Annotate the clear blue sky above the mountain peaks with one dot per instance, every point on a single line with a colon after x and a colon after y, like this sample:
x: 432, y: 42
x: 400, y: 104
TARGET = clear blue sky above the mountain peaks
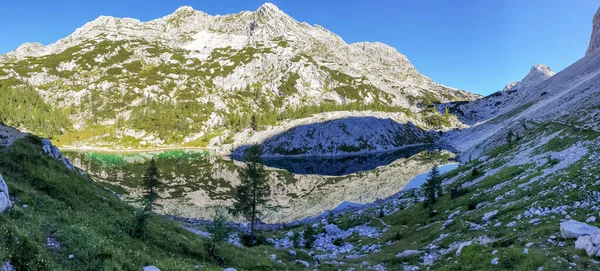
x: 476, y: 45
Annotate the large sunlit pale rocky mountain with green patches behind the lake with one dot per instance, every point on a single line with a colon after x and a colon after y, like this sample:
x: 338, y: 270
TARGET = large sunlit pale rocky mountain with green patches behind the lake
x: 212, y: 76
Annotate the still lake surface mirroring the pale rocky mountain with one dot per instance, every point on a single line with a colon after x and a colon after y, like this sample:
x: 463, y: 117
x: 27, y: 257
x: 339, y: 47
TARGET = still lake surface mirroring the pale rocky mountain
x: 194, y: 182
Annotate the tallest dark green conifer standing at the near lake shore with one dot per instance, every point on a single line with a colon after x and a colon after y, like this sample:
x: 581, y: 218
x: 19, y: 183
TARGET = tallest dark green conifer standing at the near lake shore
x: 253, y: 192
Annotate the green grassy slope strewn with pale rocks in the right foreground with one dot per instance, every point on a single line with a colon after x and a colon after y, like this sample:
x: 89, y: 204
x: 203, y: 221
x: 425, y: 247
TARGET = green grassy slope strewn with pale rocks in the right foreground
x: 413, y: 228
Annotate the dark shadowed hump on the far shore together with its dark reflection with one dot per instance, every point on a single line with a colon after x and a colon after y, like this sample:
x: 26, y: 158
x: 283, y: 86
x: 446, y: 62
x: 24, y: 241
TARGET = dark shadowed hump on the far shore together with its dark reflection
x: 343, y: 146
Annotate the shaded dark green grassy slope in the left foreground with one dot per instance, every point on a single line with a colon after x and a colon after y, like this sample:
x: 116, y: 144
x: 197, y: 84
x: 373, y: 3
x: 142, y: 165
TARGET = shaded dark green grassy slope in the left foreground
x: 92, y: 224
